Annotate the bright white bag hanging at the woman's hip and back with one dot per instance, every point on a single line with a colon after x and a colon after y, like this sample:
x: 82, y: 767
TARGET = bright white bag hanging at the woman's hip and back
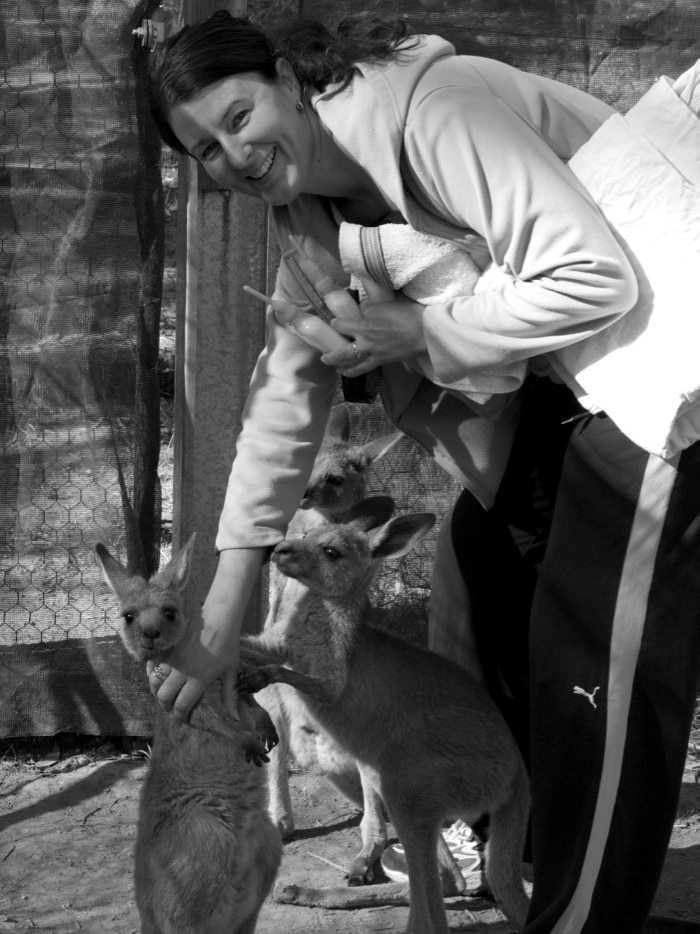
x: 643, y: 170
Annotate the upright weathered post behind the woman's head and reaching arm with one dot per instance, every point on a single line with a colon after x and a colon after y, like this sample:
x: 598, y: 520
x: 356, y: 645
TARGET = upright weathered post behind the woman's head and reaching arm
x: 222, y: 245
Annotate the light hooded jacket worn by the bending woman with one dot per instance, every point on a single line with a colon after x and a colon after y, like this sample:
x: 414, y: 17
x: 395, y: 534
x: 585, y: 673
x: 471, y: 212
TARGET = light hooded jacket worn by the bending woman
x: 474, y: 151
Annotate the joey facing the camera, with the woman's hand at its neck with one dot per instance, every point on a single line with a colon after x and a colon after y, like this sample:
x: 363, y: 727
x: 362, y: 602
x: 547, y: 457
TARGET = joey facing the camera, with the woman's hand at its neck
x: 206, y: 852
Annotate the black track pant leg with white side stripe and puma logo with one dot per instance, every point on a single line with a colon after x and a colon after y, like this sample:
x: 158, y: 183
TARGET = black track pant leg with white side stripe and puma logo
x: 615, y: 648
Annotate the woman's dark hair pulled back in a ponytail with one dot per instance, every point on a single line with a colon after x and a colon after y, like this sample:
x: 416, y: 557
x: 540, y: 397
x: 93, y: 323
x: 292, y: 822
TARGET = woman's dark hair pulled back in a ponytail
x: 223, y: 45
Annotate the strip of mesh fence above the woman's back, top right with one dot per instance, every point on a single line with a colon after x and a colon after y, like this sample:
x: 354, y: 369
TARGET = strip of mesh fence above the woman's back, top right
x: 613, y: 49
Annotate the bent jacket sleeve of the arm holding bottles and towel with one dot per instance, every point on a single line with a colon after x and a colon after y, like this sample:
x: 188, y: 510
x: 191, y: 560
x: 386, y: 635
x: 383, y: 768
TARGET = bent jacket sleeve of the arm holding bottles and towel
x: 484, y: 167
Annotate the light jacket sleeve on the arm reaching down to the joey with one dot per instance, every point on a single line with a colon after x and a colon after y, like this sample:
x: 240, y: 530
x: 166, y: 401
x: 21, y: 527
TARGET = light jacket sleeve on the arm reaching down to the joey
x: 283, y: 422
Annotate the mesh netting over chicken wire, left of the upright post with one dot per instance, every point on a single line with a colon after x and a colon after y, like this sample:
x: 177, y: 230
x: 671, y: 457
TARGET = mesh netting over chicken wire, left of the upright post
x: 81, y: 257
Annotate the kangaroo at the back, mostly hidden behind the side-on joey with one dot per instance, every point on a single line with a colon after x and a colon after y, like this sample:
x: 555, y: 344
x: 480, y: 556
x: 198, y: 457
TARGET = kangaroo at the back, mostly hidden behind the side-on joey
x: 338, y: 481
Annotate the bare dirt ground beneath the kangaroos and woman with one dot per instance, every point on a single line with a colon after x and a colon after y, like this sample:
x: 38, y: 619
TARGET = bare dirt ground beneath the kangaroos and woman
x: 67, y: 828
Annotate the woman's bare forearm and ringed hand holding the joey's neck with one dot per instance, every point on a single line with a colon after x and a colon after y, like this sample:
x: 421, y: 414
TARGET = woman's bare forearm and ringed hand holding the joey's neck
x: 212, y: 644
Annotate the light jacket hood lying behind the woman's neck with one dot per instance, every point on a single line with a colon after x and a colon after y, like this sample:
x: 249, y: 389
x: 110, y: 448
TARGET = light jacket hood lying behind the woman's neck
x: 368, y: 117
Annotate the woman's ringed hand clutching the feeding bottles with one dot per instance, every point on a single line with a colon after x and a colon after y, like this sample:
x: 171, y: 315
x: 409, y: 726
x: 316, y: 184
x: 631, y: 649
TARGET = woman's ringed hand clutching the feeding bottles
x: 388, y: 331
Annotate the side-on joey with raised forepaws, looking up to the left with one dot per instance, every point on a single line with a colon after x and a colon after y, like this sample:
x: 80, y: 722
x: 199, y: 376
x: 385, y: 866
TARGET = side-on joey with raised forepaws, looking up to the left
x: 430, y: 736
